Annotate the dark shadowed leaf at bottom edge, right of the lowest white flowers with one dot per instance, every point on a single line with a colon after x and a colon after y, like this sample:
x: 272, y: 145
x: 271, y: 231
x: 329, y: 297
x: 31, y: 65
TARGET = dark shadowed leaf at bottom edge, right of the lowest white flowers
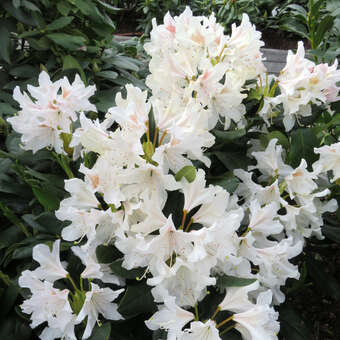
x: 292, y: 326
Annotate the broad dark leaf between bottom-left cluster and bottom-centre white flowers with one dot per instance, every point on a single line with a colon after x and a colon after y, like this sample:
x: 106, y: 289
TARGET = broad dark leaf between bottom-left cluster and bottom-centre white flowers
x: 137, y: 300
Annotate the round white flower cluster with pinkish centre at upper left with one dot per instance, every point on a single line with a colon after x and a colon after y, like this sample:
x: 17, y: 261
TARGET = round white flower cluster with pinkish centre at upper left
x: 44, y: 121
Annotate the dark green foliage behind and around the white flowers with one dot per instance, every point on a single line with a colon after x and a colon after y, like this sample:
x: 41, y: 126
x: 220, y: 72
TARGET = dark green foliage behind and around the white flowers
x: 66, y: 37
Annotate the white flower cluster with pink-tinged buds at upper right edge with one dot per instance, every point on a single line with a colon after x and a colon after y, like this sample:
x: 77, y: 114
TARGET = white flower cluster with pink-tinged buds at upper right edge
x: 301, y: 83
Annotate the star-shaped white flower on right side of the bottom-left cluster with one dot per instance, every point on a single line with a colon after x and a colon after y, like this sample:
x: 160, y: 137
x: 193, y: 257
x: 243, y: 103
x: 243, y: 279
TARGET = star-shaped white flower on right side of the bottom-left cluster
x: 98, y: 301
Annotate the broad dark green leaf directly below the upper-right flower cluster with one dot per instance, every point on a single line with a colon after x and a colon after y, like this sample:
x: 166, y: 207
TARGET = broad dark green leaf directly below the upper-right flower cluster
x: 303, y: 142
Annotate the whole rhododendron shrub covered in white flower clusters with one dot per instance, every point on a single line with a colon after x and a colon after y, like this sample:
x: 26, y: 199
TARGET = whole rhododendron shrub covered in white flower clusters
x: 192, y: 190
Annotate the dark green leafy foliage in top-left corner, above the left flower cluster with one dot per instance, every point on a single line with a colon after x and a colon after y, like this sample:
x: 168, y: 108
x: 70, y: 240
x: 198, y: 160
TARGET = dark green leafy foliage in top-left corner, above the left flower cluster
x: 64, y: 38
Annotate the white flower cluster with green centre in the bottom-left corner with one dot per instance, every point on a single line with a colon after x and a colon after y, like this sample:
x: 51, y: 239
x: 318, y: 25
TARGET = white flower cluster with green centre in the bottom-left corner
x: 52, y: 305
